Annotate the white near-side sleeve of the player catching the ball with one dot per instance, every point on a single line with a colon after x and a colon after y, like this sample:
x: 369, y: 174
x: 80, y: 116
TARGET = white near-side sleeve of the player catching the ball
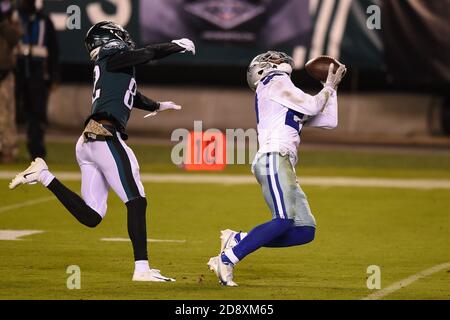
x: 287, y: 94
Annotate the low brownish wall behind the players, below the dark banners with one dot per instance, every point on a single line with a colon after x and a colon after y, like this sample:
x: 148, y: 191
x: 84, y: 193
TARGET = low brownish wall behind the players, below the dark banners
x: 385, y: 114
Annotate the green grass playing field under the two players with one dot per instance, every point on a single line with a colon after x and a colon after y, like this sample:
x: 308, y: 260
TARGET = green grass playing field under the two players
x: 403, y: 231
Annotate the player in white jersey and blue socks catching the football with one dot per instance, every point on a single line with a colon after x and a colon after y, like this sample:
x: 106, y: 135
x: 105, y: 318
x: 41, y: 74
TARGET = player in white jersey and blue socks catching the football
x: 282, y: 110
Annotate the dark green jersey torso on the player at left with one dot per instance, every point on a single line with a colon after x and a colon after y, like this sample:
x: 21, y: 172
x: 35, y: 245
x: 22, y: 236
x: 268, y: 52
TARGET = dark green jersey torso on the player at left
x: 114, y: 92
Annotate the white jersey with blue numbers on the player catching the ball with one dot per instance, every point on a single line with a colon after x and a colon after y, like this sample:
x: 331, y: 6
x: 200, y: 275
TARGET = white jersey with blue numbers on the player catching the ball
x: 282, y: 110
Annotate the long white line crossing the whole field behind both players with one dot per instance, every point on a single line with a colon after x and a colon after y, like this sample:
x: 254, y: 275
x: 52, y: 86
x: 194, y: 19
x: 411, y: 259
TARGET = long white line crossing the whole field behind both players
x: 248, y: 179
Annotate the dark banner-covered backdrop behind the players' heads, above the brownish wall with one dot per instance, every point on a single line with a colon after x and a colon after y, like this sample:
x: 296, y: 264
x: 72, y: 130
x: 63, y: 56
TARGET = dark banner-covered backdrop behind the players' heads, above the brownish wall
x: 409, y: 54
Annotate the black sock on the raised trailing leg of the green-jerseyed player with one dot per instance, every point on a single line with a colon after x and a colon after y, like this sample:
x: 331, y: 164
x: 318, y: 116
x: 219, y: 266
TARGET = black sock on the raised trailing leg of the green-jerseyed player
x: 74, y: 203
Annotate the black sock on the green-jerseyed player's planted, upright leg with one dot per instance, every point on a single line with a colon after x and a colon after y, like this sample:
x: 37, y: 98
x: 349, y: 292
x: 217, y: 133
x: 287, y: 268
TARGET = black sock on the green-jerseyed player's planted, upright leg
x: 137, y: 228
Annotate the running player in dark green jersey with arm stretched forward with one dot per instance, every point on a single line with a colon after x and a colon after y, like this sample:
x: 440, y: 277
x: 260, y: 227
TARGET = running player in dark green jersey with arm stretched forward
x: 104, y: 158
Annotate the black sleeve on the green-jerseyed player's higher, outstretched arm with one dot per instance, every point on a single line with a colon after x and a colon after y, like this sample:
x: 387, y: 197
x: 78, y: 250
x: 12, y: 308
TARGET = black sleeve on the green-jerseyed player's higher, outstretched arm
x: 131, y: 58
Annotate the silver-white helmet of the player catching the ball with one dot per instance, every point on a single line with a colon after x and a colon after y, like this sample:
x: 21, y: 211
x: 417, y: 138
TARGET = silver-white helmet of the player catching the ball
x: 265, y: 63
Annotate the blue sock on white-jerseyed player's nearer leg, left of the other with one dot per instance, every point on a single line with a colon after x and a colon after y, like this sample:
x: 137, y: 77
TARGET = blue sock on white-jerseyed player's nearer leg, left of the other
x: 260, y: 236
